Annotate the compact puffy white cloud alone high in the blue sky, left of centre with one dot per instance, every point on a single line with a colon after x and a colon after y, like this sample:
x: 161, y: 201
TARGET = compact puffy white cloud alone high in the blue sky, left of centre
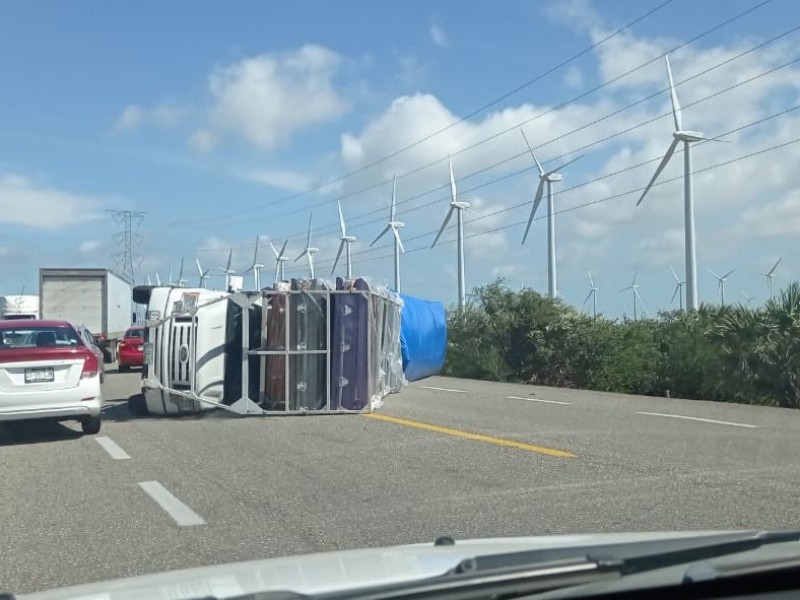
x: 266, y: 99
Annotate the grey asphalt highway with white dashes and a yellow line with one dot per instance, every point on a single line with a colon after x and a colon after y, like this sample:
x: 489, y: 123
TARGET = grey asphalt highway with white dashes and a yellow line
x: 444, y: 457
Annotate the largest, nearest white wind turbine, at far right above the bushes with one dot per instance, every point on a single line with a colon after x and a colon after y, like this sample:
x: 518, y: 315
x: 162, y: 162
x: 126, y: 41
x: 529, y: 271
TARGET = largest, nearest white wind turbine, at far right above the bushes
x: 687, y: 137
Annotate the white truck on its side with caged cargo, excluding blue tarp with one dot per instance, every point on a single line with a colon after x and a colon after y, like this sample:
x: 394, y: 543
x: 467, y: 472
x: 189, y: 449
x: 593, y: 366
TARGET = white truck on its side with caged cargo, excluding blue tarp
x: 300, y: 347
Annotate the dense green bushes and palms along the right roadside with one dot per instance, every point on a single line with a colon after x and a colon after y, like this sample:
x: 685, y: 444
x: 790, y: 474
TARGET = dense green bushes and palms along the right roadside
x: 730, y: 354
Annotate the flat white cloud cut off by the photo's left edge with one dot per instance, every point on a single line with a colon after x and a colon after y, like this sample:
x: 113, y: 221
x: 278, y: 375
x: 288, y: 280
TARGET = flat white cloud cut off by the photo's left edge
x: 26, y: 203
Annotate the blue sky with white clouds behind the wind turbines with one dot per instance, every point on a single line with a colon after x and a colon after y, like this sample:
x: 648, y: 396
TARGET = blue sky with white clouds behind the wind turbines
x: 225, y: 124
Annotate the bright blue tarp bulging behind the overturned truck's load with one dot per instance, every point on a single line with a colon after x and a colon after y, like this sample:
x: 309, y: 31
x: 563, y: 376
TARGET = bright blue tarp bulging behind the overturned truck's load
x: 423, y: 337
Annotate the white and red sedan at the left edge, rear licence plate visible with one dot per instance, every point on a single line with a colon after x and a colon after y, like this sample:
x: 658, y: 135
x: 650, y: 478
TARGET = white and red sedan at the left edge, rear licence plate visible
x: 48, y: 371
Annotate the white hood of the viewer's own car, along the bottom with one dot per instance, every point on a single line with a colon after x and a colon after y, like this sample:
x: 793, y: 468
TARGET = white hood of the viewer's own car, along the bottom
x: 329, y: 571
